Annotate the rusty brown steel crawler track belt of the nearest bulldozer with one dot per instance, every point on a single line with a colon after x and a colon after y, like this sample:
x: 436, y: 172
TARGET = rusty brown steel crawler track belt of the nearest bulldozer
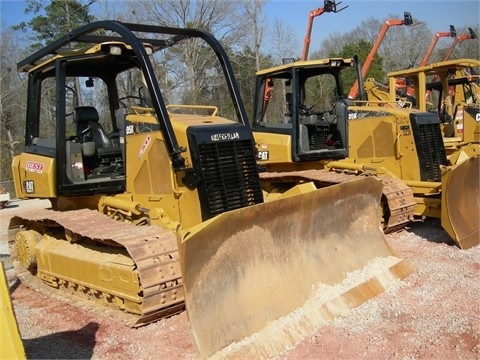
x: 153, y: 250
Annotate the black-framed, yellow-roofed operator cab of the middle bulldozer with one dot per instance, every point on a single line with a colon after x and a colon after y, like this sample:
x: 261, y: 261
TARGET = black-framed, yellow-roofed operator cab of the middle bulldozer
x: 307, y: 103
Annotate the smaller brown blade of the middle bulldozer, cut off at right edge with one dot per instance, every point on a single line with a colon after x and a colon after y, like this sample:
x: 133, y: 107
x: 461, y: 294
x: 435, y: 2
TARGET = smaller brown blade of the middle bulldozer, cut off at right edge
x: 461, y: 202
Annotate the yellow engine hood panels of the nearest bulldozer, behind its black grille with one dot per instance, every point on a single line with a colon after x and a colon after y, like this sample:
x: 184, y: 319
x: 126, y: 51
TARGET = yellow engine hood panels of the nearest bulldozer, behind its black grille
x: 151, y: 180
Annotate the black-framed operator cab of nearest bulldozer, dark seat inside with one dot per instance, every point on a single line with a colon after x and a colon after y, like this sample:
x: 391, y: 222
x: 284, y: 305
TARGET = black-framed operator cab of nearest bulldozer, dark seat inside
x: 85, y: 132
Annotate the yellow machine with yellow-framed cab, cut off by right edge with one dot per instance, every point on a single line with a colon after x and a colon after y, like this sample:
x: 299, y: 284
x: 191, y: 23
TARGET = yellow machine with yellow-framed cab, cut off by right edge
x: 448, y: 89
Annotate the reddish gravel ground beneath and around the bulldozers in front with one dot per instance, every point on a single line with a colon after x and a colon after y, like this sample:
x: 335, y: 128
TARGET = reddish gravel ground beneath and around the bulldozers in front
x: 433, y: 313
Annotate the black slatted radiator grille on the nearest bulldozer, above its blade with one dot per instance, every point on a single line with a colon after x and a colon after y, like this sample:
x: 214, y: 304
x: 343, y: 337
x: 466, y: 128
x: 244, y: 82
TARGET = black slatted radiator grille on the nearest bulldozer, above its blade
x: 227, y: 169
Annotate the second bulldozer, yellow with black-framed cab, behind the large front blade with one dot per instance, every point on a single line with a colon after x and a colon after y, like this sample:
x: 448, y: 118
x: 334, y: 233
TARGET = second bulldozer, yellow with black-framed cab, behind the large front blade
x: 306, y: 129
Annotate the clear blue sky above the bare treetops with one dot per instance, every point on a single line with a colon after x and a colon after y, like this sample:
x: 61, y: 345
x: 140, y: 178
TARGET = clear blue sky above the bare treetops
x: 438, y: 14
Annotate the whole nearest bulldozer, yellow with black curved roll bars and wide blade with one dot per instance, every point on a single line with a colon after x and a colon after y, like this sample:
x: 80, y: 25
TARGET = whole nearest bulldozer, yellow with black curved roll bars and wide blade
x: 157, y: 207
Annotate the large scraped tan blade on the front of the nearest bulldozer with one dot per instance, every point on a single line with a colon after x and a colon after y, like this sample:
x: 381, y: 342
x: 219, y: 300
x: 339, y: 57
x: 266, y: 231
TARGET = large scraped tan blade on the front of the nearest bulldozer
x: 259, y: 279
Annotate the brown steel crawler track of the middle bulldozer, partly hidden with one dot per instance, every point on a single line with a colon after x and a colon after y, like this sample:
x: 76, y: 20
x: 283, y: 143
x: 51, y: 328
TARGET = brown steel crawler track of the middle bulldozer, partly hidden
x: 399, y: 197
